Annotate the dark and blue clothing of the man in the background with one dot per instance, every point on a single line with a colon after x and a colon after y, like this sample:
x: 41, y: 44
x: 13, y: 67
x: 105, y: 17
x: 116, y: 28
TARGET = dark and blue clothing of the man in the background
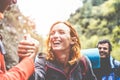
x: 109, y: 70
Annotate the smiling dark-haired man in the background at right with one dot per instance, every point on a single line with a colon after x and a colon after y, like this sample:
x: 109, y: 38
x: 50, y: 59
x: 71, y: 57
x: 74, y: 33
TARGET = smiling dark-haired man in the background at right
x: 109, y: 67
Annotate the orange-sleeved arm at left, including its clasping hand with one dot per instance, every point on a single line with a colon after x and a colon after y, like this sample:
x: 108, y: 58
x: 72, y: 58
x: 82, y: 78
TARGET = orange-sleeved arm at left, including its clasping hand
x: 24, y: 69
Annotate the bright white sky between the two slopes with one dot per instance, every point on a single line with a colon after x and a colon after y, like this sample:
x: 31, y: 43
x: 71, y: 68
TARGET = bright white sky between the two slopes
x: 46, y: 12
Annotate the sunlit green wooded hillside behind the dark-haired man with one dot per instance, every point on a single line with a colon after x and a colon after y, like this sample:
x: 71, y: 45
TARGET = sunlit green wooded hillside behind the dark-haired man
x: 98, y: 20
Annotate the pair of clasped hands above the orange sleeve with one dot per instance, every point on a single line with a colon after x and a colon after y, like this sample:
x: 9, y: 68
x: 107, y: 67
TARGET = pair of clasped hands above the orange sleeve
x: 28, y: 47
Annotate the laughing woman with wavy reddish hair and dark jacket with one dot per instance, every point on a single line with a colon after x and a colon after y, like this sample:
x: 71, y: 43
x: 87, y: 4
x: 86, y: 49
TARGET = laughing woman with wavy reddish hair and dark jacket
x: 63, y: 60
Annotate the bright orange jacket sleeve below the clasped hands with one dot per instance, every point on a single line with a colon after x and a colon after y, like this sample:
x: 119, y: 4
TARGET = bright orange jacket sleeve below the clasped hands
x: 21, y: 71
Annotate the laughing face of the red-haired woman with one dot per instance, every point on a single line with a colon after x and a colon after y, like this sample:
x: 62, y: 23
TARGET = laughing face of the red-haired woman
x: 60, y: 38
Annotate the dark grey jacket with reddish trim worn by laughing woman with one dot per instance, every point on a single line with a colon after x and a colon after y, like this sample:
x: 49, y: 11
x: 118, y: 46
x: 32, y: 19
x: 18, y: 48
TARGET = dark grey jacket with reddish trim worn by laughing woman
x: 51, y: 70
